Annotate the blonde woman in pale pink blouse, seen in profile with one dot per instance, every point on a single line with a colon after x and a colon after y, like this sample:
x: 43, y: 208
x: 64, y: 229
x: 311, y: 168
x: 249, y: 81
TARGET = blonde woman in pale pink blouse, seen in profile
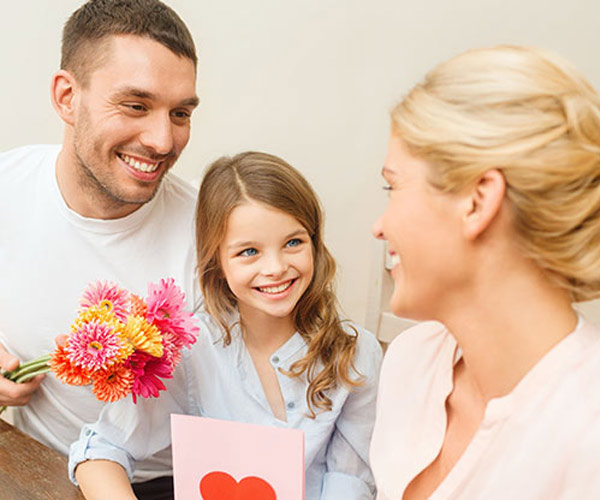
x: 493, y: 222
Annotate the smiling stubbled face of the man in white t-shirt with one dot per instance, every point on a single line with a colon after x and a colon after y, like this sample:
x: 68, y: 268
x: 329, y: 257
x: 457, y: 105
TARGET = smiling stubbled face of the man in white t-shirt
x: 132, y: 121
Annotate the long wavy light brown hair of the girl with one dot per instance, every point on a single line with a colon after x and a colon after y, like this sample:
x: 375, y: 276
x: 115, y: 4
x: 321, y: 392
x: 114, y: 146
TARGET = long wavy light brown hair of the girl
x: 254, y: 176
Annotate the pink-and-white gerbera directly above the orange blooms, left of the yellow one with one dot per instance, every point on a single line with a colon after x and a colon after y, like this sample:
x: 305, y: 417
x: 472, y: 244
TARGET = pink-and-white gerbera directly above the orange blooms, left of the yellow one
x: 94, y: 346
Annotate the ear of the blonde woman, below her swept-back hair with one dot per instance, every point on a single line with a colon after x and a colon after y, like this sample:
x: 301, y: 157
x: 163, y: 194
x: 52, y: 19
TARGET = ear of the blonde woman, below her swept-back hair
x: 483, y: 202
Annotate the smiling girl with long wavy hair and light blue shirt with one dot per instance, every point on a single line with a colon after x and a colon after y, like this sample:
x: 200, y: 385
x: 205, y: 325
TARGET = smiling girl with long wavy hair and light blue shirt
x: 272, y: 348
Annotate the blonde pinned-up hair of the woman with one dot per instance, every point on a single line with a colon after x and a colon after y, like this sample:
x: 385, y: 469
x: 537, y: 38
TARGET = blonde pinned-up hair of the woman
x: 530, y: 115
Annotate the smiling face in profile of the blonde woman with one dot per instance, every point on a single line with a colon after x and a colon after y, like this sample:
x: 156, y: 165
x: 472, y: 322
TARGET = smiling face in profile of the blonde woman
x: 421, y: 226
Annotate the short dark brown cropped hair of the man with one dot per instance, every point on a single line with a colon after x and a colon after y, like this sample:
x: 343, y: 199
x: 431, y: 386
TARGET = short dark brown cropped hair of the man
x: 90, y: 26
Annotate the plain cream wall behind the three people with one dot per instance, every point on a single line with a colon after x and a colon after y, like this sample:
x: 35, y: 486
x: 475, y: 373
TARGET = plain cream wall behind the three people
x: 311, y: 81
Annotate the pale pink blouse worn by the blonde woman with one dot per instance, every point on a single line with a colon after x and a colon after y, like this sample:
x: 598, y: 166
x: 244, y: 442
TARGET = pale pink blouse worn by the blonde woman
x: 540, y: 441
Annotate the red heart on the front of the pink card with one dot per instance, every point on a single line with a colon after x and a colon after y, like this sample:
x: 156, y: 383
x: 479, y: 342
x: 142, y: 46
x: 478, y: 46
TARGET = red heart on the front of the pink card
x: 219, y: 485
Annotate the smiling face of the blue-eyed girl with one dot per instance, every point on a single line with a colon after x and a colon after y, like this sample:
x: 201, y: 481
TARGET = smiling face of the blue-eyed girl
x: 267, y: 259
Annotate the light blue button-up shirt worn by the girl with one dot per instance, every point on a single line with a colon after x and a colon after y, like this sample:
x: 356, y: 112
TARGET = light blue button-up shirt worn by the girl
x: 220, y: 381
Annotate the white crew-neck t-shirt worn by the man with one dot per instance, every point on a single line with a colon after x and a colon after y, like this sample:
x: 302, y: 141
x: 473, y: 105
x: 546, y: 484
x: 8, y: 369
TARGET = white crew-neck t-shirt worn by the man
x: 49, y: 253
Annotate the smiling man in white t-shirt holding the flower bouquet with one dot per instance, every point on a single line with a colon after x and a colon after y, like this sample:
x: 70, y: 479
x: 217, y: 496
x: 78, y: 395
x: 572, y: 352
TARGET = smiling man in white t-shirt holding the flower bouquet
x: 102, y: 206
